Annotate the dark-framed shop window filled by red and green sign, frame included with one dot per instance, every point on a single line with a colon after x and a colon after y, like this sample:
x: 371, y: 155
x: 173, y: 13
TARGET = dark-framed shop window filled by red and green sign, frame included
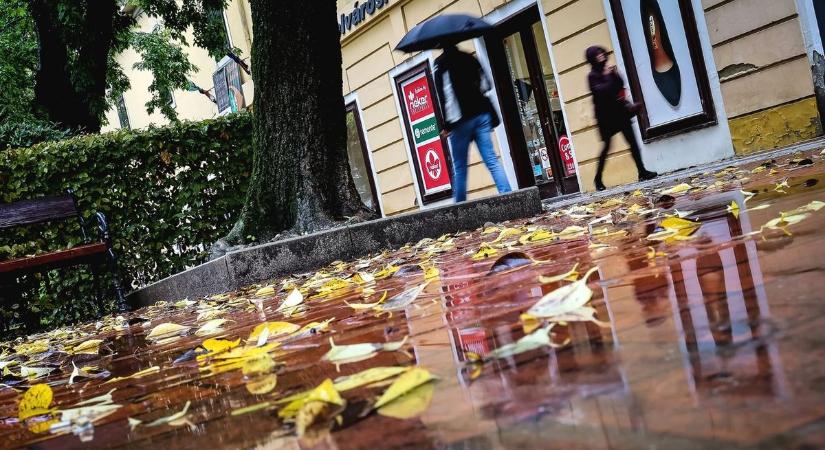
x: 423, y: 124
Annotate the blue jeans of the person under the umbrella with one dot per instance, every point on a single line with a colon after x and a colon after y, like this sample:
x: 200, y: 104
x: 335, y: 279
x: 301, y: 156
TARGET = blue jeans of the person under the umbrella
x: 475, y: 128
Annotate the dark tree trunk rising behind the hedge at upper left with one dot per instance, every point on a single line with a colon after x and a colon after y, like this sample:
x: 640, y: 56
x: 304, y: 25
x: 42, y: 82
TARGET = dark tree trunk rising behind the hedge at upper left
x: 76, y: 102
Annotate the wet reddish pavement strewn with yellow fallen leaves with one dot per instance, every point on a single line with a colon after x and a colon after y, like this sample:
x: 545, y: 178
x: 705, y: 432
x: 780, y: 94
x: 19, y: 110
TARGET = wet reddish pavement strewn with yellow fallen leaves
x: 703, y: 330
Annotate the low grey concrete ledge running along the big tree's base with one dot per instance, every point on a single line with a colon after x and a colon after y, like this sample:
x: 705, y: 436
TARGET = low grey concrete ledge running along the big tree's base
x: 266, y: 261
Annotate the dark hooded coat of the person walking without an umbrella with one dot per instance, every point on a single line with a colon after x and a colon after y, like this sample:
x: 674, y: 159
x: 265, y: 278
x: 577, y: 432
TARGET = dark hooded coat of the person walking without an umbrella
x: 611, y: 110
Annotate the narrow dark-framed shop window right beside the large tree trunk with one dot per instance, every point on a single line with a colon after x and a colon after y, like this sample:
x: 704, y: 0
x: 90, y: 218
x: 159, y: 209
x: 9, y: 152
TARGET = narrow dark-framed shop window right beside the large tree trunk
x: 359, y: 160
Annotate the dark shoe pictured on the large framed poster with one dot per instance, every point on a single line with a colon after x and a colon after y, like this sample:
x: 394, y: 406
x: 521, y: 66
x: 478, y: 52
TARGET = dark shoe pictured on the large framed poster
x: 663, y: 63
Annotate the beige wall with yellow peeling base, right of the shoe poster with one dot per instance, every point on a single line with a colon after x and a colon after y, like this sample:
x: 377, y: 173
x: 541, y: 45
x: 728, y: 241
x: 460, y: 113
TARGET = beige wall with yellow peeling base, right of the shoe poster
x: 764, y: 71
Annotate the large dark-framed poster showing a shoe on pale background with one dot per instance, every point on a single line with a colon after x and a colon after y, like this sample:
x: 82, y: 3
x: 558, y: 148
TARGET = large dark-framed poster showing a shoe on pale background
x: 665, y: 65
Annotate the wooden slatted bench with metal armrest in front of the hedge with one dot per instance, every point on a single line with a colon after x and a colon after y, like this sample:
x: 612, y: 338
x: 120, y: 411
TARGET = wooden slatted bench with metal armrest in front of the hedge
x: 94, y: 252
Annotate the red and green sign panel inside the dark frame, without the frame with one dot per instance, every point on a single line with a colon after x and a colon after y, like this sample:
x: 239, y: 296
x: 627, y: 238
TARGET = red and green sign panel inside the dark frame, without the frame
x: 434, y: 173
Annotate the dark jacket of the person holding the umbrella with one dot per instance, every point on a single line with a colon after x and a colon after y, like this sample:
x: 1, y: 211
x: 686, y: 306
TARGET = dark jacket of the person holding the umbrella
x: 465, y: 75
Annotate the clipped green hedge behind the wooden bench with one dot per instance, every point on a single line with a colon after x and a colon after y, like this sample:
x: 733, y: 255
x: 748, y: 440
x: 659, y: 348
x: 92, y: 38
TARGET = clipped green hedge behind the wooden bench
x: 168, y: 193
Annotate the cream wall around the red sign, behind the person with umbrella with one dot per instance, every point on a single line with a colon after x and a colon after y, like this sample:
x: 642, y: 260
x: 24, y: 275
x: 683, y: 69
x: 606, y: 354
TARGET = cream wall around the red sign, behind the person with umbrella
x: 368, y: 57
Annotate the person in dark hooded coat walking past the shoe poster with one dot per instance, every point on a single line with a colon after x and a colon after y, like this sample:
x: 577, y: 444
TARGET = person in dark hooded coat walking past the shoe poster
x: 613, y: 111
